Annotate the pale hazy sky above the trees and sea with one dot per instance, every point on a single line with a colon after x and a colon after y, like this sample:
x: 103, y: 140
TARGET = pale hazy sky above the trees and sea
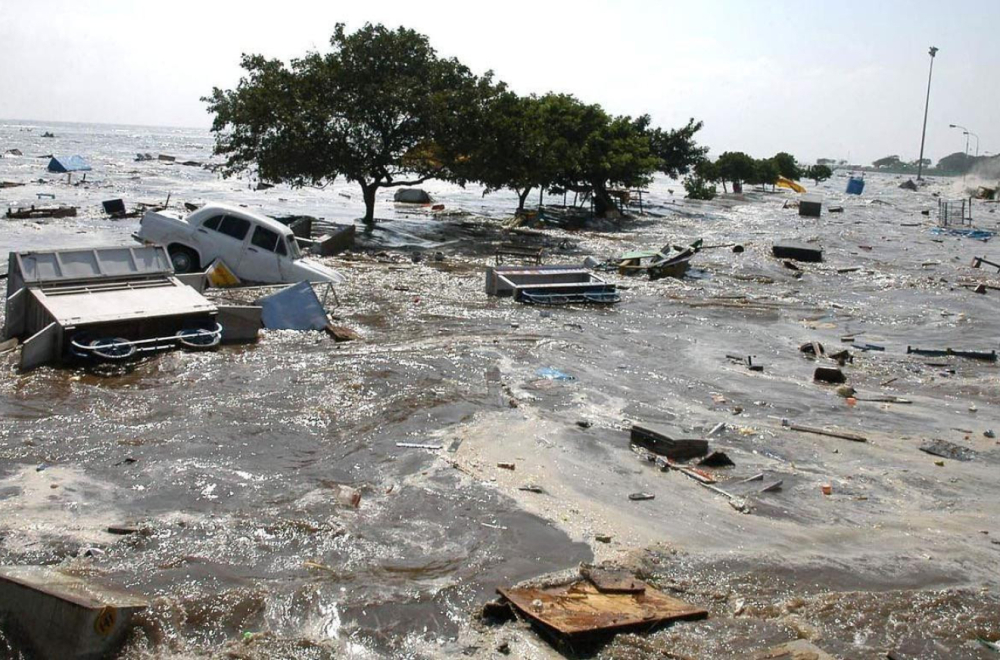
x: 844, y: 79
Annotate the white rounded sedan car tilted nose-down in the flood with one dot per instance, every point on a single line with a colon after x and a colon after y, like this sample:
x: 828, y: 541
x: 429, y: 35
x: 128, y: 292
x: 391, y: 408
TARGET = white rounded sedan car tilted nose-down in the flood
x: 254, y: 247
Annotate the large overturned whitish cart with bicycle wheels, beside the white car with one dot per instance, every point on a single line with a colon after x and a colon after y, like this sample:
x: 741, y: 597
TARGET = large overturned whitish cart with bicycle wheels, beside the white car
x: 104, y: 304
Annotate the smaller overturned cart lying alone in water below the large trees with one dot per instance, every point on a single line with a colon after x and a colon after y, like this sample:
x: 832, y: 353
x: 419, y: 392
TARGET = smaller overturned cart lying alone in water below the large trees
x: 550, y: 285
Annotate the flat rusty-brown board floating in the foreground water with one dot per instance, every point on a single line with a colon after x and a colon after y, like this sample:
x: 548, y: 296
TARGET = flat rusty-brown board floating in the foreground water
x: 580, y: 607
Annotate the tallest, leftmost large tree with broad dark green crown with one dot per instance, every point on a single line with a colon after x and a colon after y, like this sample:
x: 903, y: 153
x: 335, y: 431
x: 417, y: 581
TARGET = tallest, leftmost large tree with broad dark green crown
x: 381, y: 109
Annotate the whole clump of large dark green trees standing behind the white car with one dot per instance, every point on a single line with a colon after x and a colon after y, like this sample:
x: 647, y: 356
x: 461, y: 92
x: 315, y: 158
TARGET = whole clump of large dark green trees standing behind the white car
x: 383, y: 109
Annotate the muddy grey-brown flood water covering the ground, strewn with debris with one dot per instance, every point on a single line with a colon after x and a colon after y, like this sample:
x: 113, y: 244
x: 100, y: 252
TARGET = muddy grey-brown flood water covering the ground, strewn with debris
x: 239, y: 463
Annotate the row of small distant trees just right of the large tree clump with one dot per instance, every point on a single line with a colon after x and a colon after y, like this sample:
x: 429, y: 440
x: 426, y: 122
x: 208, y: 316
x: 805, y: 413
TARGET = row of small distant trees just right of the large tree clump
x: 739, y: 169
